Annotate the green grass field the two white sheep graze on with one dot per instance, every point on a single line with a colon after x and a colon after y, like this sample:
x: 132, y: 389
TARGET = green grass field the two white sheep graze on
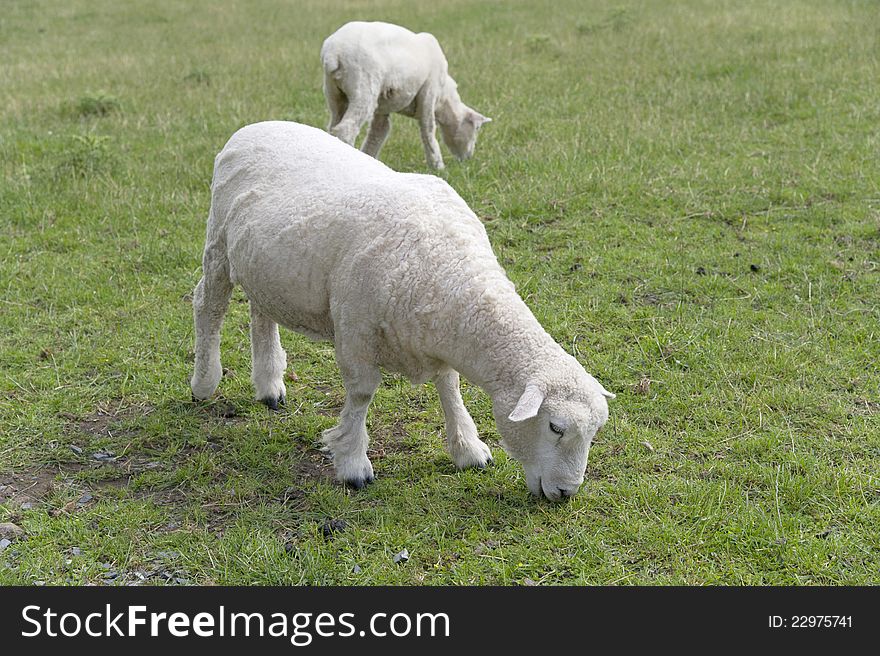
x: 686, y: 194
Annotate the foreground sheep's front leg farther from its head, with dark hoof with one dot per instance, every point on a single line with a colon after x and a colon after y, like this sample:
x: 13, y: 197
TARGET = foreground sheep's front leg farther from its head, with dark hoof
x: 348, y: 440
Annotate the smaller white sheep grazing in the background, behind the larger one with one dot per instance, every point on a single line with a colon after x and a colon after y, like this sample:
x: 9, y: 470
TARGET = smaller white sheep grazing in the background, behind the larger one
x: 374, y: 69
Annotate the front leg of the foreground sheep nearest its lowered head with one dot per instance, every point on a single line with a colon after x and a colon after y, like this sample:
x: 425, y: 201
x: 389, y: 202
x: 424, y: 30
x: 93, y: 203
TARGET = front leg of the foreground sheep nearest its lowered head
x: 462, y: 441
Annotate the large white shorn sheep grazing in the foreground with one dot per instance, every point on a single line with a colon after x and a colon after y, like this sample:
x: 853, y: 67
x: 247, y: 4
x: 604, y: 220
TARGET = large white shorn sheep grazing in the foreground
x: 398, y: 272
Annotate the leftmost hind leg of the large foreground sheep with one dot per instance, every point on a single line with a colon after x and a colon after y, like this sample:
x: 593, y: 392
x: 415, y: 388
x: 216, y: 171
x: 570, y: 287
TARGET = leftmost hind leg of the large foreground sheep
x: 210, y: 301
